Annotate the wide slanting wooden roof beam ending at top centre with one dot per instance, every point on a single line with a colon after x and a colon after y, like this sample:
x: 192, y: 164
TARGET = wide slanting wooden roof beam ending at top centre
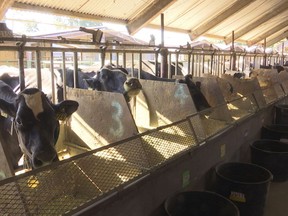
x: 149, y: 13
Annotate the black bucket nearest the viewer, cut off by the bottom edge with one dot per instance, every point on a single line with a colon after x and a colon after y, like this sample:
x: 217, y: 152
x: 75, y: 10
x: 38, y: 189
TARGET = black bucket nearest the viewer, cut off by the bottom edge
x: 200, y: 203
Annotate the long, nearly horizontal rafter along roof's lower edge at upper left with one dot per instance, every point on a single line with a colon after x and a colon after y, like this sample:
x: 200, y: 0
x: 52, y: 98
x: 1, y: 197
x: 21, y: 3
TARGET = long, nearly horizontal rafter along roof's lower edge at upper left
x: 24, y: 6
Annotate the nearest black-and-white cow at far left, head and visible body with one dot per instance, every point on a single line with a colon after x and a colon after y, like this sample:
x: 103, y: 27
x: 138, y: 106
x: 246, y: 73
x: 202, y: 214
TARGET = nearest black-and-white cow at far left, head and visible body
x: 35, y: 121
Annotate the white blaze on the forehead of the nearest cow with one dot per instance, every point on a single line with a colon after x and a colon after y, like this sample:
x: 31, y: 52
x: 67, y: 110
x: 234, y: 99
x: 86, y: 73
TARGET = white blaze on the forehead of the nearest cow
x: 34, y: 102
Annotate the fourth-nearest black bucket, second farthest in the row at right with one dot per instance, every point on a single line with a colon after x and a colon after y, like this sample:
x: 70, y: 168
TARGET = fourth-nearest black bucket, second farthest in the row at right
x: 274, y: 132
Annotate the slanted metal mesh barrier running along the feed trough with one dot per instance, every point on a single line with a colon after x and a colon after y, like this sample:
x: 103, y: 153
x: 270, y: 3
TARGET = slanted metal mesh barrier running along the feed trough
x: 67, y: 186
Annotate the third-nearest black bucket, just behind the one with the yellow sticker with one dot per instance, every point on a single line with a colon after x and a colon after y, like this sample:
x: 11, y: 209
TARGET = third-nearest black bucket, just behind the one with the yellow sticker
x: 273, y: 155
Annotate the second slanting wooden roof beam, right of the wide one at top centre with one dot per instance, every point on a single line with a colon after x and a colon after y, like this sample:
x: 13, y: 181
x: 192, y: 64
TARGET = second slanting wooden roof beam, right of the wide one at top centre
x: 209, y: 24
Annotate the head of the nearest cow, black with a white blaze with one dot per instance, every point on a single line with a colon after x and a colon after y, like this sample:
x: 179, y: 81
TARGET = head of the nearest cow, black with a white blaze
x: 36, y: 123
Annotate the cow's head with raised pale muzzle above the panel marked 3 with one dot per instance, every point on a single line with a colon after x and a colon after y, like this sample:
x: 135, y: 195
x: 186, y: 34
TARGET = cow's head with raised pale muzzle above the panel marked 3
x: 115, y: 80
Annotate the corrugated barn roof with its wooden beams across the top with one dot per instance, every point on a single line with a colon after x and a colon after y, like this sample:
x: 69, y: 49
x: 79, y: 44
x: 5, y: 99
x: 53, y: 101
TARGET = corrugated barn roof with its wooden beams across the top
x: 252, y: 21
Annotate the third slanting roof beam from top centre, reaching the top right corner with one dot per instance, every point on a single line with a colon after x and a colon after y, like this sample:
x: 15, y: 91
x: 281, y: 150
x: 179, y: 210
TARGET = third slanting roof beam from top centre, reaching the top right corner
x: 273, y: 12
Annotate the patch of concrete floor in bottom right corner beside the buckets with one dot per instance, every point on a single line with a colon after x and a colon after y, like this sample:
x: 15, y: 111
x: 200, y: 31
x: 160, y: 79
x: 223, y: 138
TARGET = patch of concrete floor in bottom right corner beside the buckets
x: 277, y: 200
